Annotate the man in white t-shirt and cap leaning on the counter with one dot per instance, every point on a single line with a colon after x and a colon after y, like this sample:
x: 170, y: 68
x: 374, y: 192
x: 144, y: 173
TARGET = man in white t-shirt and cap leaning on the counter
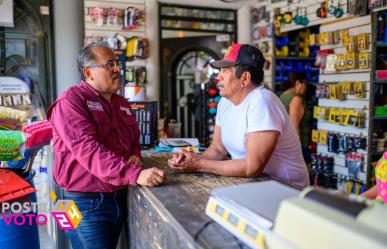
x: 252, y: 125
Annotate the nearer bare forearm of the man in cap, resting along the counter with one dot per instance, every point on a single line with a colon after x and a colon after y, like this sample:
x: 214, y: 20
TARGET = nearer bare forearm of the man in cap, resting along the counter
x: 239, y: 167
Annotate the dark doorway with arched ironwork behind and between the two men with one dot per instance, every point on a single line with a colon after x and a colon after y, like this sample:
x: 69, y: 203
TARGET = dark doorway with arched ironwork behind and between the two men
x: 189, y: 40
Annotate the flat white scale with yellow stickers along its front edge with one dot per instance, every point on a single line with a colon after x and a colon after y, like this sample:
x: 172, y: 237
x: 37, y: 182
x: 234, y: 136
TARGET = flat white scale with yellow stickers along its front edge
x: 248, y: 211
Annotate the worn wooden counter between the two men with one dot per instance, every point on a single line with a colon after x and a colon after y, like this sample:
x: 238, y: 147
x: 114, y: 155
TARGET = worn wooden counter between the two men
x: 173, y: 215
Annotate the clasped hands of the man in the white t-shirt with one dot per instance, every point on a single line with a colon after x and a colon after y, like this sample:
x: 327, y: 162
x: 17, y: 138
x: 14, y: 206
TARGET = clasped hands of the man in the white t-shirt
x: 184, y: 161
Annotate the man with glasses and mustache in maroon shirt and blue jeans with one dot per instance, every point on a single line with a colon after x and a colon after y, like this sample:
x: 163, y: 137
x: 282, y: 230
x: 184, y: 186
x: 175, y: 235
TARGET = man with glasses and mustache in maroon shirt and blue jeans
x: 97, y: 150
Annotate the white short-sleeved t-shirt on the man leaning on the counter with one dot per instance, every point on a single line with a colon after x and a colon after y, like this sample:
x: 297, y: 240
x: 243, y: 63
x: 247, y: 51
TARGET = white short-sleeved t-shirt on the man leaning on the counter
x: 261, y: 110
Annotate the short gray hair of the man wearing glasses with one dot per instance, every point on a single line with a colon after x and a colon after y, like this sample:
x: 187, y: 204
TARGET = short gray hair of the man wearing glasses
x: 86, y: 57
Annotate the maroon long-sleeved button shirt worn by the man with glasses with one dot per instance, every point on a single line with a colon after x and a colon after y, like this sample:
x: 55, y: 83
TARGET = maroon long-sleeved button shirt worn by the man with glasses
x: 92, y: 141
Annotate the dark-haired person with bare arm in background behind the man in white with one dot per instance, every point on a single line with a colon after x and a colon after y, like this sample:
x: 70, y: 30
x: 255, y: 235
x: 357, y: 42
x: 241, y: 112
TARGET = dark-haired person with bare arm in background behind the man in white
x: 293, y: 98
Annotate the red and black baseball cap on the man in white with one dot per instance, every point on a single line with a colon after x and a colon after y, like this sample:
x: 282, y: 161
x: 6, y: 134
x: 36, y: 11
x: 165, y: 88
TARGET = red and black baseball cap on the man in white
x: 243, y: 54
